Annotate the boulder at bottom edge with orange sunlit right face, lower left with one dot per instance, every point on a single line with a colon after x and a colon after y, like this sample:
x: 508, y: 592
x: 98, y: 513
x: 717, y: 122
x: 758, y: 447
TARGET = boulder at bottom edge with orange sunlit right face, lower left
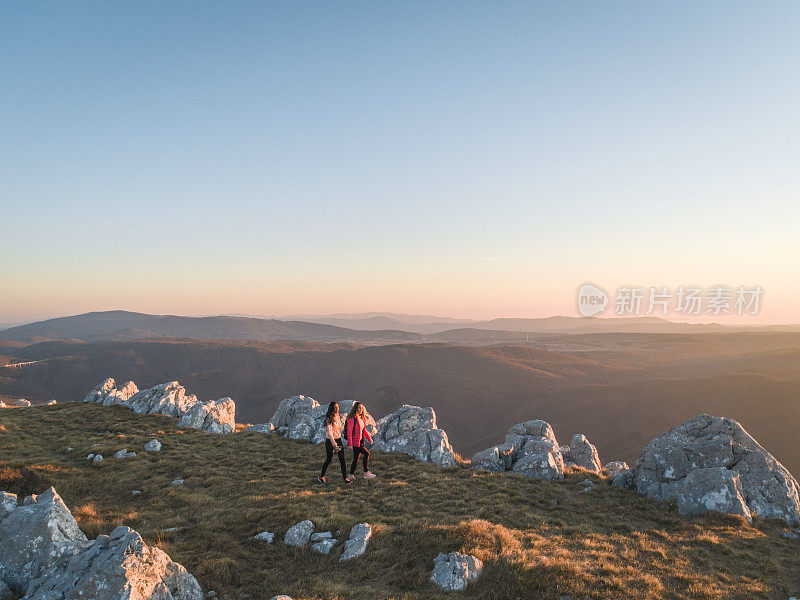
x: 114, y: 567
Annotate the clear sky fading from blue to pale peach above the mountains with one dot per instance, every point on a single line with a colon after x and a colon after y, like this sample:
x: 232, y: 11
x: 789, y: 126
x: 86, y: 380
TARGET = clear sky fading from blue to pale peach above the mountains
x: 468, y: 159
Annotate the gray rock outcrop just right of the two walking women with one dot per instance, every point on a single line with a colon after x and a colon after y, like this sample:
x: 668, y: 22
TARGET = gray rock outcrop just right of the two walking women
x: 412, y: 430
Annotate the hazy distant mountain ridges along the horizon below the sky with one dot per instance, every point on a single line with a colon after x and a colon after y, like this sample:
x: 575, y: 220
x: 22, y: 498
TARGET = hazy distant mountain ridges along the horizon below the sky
x: 365, y: 328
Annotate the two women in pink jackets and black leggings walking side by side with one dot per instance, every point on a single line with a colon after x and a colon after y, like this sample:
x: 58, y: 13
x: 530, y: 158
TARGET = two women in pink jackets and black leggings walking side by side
x: 357, y: 438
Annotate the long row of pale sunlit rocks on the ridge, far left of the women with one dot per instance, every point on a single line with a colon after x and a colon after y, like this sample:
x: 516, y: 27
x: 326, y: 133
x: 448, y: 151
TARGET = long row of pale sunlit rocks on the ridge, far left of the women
x: 169, y: 399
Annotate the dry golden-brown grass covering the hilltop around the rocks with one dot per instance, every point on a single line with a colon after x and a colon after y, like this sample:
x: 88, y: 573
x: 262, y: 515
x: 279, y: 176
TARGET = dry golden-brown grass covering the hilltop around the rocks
x: 539, y: 540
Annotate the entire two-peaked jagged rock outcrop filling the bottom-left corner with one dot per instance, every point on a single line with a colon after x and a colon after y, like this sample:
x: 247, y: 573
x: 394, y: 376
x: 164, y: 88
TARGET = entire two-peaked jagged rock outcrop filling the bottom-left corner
x: 44, y: 556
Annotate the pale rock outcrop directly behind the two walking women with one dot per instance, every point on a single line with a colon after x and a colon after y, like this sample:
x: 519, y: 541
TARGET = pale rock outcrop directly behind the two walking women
x: 301, y: 418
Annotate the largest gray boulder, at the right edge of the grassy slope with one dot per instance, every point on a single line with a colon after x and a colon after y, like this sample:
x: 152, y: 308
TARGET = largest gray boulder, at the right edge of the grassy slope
x: 666, y: 469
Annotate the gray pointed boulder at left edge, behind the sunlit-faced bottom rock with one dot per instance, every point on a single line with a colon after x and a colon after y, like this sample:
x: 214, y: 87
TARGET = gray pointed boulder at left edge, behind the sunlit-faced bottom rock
x: 33, y: 536
